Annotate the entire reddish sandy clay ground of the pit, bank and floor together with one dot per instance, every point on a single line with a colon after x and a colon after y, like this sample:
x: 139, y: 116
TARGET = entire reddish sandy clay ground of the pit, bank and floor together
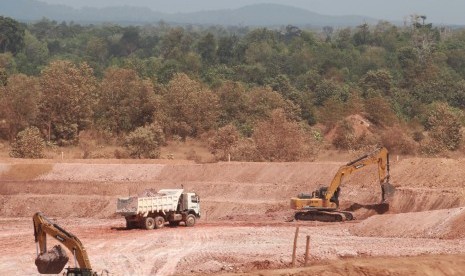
x: 245, y: 226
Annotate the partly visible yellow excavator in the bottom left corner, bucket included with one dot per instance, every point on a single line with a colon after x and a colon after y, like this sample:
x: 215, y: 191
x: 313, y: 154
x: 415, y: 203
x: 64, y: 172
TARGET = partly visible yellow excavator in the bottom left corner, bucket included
x: 54, y: 260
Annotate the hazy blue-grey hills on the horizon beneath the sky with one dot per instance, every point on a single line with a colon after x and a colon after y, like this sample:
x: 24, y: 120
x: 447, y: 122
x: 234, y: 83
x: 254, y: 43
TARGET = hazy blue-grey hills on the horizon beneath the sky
x: 253, y: 15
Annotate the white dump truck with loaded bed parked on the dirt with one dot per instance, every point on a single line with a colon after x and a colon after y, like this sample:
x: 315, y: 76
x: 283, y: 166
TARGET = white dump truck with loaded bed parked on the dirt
x: 173, y: 206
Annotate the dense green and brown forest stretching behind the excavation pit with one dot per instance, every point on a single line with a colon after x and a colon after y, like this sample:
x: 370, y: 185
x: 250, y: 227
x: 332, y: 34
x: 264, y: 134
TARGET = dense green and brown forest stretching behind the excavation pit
x: 250, y: 93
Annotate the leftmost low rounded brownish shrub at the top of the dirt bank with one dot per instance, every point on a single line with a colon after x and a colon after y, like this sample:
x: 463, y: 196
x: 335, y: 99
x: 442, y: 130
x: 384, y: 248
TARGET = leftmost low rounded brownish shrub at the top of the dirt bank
x: 28, y: 144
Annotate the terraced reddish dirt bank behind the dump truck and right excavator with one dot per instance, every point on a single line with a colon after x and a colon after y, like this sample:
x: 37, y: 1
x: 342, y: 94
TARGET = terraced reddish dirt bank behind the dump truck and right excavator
x: 228, y: 190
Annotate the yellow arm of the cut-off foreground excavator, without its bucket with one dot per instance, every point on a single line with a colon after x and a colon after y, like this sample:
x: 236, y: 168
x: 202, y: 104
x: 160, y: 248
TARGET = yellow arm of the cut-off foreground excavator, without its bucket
x: 43, y: 227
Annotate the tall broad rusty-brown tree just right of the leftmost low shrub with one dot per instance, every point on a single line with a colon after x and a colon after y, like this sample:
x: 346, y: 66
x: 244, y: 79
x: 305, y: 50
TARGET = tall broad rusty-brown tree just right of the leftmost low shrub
x: 68, y: 99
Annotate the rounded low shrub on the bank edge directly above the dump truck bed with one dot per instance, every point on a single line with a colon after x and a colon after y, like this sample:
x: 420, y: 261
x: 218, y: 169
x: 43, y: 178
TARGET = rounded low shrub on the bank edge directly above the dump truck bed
x: 145, y: 142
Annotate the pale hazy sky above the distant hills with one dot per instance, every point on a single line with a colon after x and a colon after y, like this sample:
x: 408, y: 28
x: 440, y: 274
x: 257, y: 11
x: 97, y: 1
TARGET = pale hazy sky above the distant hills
x: 437, y: 11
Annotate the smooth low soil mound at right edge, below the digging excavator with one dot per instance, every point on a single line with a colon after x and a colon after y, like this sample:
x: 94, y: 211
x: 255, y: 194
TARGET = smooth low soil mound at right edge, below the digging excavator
x: 437, y: 224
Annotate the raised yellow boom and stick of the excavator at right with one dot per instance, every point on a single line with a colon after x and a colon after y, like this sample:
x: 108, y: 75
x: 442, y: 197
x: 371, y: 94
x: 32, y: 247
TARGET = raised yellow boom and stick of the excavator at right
x: 380, y: 156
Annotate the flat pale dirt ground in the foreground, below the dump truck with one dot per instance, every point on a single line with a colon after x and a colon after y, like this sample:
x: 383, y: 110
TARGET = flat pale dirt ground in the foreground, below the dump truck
x: 209, y: 248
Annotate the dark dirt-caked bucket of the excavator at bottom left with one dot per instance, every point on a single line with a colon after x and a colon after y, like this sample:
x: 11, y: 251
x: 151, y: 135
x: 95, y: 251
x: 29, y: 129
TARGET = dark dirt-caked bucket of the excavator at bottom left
x: 53, y: 261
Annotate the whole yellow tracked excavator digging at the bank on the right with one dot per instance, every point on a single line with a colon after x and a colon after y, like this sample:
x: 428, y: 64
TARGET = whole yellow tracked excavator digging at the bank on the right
x: 323, y: 204
